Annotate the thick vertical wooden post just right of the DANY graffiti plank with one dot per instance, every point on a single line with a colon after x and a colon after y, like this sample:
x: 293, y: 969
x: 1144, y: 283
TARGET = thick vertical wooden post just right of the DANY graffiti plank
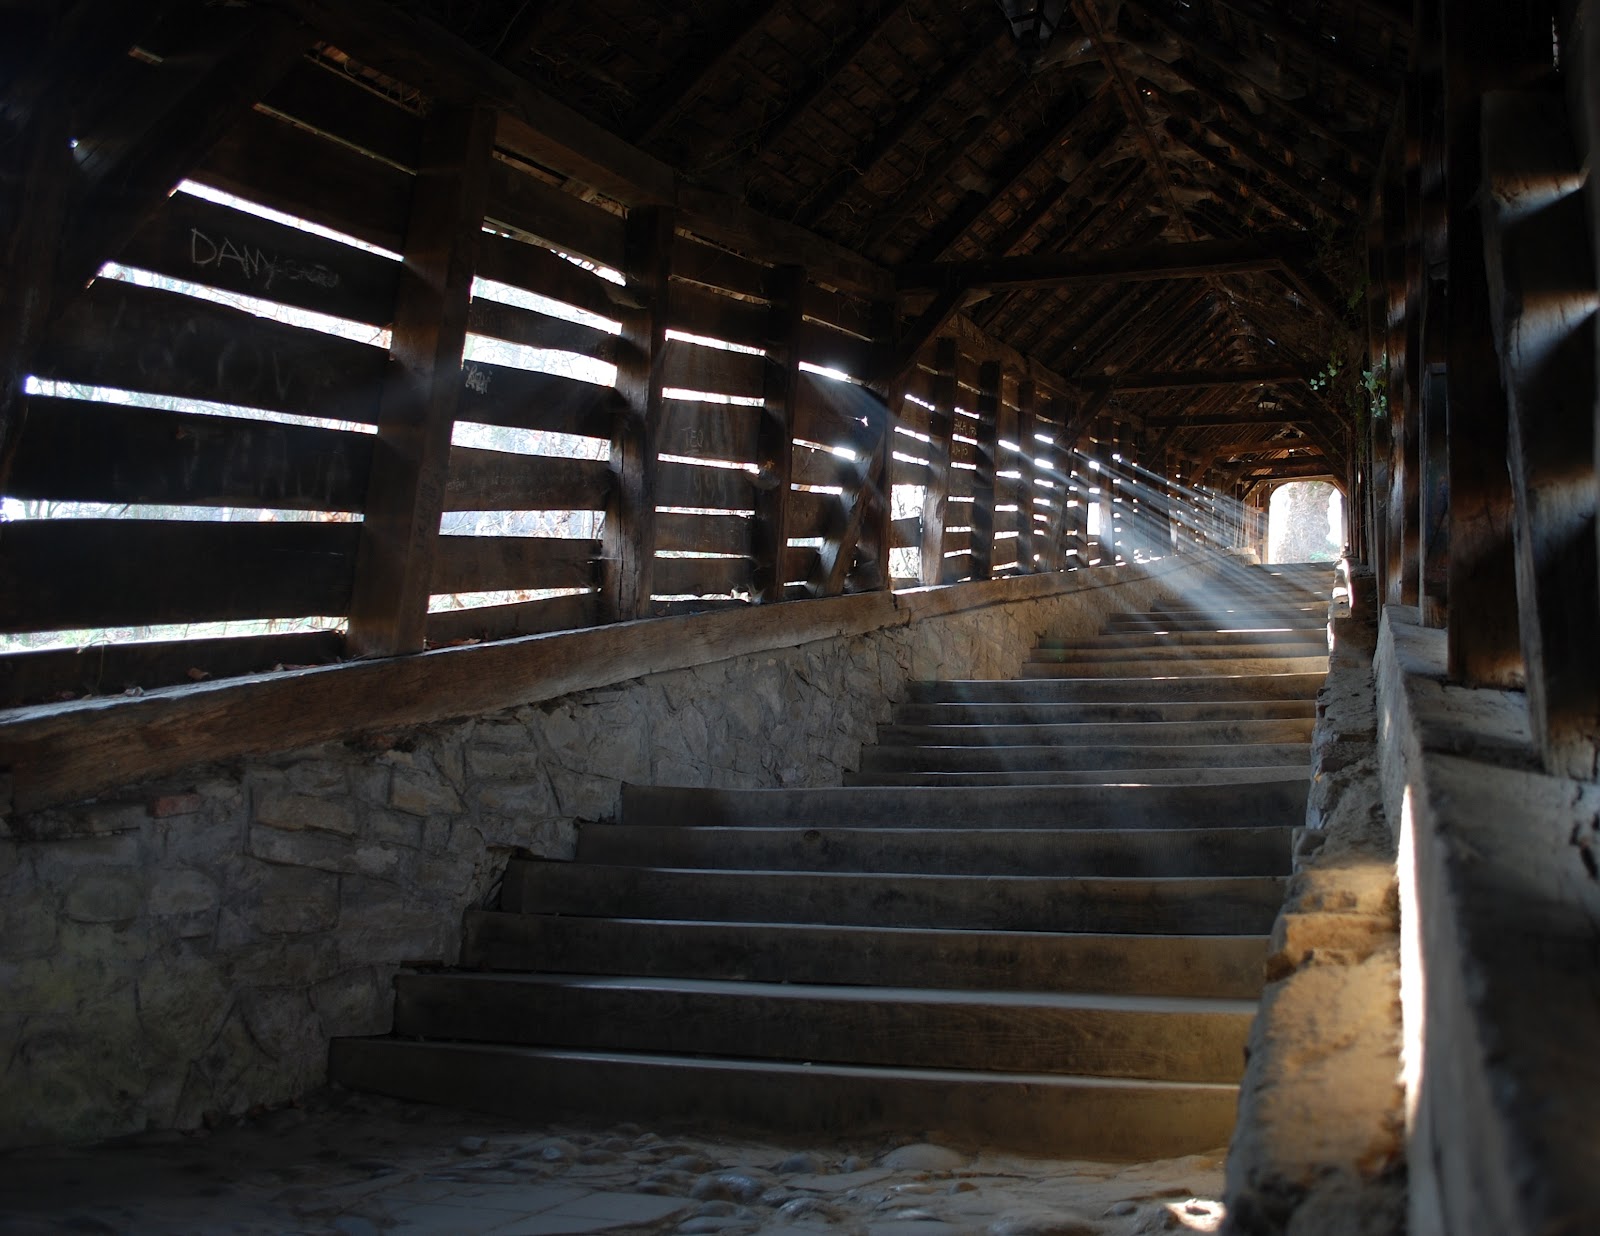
x: 394, y: 568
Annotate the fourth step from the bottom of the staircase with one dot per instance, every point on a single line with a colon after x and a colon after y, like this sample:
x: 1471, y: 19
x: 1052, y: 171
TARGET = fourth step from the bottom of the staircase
x: 1228, y: 905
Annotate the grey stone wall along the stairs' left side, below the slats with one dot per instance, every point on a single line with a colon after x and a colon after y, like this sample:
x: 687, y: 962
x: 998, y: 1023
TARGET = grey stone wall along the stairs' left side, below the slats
x: 185, y: 949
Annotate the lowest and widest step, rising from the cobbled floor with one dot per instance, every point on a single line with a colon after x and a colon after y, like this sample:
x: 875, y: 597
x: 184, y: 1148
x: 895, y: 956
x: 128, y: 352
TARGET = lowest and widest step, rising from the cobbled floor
x: 1030, y: 1114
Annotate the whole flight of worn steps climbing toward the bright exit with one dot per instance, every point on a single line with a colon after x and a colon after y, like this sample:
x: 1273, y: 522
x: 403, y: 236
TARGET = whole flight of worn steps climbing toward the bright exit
x: 1038, y: 920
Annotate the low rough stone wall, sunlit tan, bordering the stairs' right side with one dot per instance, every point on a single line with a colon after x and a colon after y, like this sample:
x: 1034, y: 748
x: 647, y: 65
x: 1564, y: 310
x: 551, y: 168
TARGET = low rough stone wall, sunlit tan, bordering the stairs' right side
x: 1319, y: 1149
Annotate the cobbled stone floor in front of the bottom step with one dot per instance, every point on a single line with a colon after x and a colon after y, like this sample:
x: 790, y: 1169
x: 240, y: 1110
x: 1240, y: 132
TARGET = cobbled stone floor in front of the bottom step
x: 350, y: 1165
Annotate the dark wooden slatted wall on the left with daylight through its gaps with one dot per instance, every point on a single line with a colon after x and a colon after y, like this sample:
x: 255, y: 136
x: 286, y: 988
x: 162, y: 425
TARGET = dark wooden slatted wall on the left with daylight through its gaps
x: 764, y: 481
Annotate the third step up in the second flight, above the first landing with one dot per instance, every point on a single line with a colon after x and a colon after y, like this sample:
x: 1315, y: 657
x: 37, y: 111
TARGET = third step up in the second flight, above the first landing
x: 1102, y: 734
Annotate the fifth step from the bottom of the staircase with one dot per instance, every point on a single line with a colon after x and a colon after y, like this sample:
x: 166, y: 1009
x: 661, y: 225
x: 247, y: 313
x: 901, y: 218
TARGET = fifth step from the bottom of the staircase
x: 948, y: 851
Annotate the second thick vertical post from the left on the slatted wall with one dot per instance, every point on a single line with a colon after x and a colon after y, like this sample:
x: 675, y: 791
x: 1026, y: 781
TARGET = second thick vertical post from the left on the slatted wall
x: 631, y: 515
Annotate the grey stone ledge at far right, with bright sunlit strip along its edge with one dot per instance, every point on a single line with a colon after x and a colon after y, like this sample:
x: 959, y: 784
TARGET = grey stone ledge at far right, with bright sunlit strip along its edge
x: 1502, y: 917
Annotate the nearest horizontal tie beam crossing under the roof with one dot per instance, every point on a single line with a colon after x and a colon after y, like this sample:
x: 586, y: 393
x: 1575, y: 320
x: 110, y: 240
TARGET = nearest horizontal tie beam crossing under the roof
x: 1190, y: 260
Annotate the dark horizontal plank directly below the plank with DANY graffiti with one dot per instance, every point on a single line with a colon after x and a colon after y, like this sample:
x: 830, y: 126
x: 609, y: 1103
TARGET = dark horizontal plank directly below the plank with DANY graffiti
x: 162, y: 343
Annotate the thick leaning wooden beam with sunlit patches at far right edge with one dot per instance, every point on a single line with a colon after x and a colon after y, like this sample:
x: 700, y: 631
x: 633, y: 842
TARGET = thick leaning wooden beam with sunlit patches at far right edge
x: 1543, y: 294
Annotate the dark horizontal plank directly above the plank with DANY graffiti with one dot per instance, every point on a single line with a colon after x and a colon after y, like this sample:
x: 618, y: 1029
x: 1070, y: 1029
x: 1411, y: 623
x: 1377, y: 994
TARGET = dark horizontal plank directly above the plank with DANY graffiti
x: 279, y: 166
